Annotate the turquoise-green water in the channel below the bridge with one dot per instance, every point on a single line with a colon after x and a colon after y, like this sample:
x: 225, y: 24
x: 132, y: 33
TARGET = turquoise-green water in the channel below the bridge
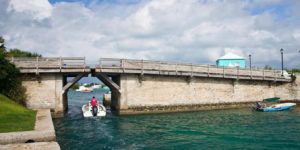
x: 217, y: 129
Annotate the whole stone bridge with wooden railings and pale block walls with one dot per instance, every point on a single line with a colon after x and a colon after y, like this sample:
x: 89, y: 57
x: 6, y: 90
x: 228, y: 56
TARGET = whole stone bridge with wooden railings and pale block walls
x: 142, y: 86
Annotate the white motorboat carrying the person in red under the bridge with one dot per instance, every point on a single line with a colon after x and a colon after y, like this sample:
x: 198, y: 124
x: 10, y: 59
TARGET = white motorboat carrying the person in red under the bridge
x: 89, y: 111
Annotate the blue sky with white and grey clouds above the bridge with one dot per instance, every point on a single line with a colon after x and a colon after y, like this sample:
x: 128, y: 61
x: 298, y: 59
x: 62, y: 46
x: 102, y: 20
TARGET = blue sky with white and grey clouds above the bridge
x: 190, y: 31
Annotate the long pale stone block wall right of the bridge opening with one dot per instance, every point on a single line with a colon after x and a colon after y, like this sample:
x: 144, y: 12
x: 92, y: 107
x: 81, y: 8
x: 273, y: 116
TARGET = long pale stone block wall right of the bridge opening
x: 175, y: 91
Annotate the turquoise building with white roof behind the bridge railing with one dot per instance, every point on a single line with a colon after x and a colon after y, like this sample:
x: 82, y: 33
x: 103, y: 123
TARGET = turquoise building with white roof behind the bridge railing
x: 231, y: 60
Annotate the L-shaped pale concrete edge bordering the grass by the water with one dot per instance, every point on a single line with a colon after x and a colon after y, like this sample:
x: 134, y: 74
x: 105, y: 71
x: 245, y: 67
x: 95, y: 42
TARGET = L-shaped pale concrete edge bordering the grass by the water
x: 43, y: 131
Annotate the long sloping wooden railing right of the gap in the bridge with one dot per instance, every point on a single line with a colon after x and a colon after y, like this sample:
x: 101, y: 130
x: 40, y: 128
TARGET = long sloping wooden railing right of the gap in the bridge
x: 161, y: 67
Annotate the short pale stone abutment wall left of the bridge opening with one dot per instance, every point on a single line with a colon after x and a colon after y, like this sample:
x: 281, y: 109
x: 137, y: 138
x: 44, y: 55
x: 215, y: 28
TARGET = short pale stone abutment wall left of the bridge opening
x: 45, y: 91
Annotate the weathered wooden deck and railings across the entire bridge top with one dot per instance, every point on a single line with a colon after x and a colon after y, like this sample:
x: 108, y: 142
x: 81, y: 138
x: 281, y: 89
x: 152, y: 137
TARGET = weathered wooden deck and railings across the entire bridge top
x: 112, y: 66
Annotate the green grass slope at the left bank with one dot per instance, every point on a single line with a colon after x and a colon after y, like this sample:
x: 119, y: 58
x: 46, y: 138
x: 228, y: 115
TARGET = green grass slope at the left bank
x: 15, y: 117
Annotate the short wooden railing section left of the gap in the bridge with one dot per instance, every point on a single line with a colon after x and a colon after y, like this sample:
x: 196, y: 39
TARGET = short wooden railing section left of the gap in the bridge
x: 49, y: 62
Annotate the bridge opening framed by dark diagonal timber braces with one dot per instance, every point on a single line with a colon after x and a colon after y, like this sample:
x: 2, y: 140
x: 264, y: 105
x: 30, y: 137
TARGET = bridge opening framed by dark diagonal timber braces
x: 104, y: 87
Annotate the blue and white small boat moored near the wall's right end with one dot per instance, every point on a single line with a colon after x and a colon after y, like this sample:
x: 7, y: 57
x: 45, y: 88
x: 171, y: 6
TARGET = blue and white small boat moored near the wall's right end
x: 274, y: 107
